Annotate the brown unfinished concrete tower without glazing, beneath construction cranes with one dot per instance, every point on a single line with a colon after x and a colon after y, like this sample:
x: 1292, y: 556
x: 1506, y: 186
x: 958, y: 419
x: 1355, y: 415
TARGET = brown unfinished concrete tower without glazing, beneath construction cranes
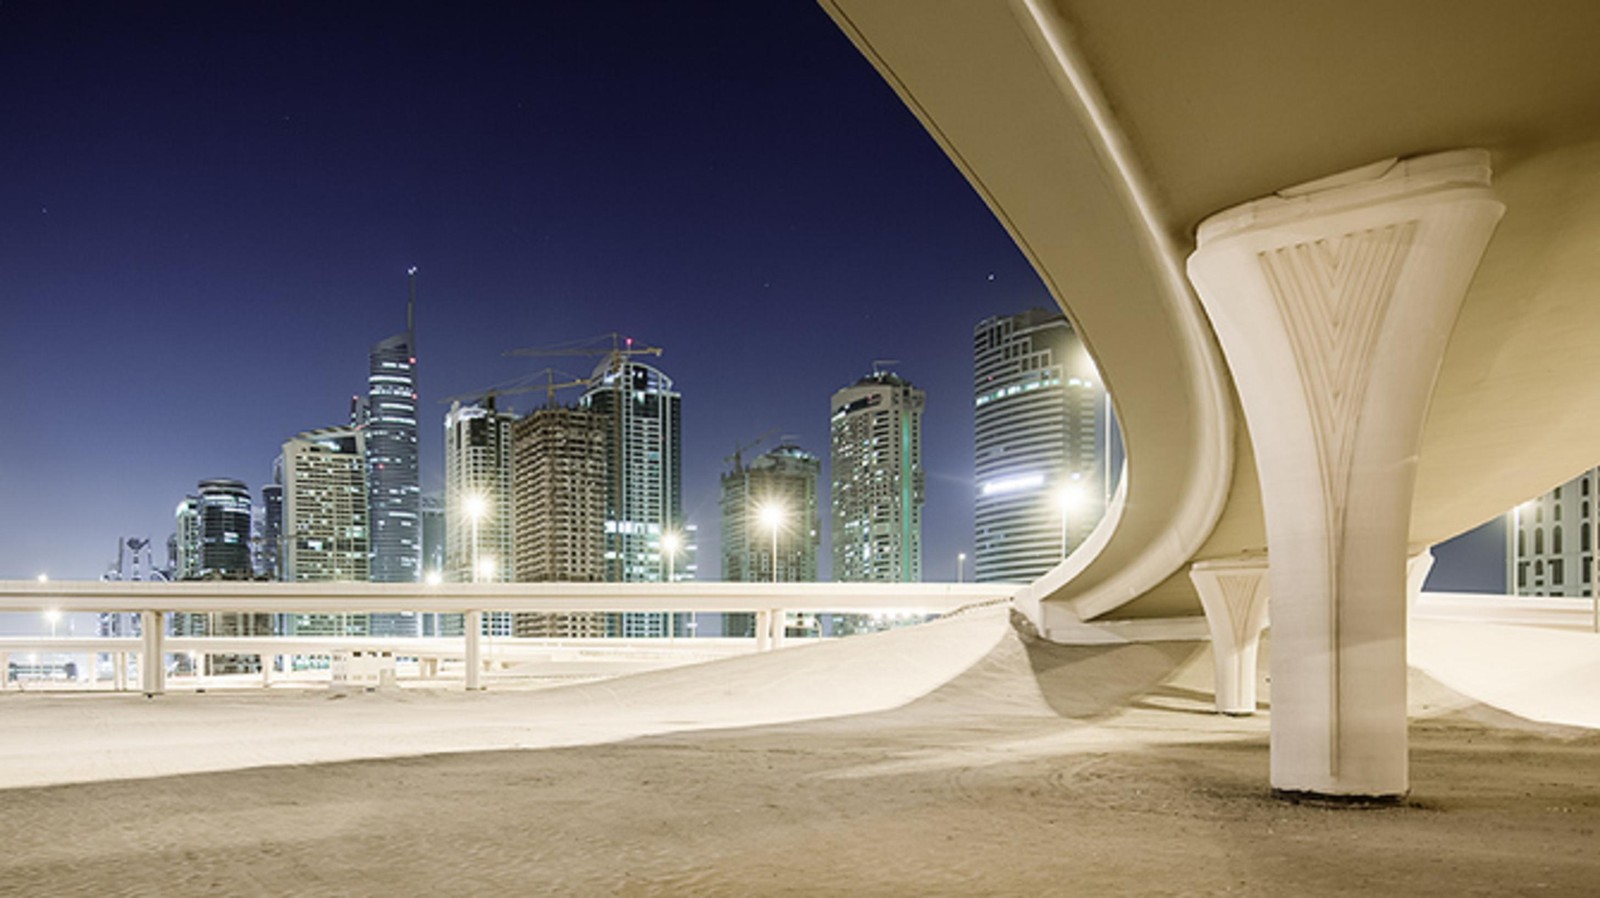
x: 559, y: 483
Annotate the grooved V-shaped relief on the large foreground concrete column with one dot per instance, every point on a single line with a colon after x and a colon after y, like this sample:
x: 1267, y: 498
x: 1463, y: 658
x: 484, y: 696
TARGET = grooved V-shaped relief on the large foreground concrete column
x: 1334, y: 295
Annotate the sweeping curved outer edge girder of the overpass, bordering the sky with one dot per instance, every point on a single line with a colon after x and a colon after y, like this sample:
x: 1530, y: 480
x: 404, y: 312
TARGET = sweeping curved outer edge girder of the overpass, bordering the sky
x: 1078, y: 212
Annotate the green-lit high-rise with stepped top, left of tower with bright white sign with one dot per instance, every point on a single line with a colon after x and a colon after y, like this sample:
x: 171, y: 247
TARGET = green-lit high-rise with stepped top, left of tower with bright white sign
x: 878, y: 495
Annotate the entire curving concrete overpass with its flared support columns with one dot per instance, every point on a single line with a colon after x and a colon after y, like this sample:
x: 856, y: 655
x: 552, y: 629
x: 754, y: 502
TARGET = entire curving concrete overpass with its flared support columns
x: 1337, y: 267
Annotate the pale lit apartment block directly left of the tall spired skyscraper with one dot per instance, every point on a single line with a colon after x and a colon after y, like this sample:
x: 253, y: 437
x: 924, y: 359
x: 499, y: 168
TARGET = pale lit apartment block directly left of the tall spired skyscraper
x: 326, y: 519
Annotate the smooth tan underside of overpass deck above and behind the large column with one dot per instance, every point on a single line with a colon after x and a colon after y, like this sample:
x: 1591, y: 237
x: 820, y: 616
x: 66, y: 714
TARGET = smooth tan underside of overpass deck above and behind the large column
x: 1231, y: 105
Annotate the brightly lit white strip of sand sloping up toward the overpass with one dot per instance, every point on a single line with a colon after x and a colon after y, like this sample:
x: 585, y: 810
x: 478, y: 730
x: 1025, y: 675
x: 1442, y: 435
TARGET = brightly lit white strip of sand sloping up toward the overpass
x: 78, y: 739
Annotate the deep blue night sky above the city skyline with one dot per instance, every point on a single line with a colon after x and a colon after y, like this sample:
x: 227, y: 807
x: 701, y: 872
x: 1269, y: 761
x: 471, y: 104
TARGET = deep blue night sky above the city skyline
x: 207, y: 212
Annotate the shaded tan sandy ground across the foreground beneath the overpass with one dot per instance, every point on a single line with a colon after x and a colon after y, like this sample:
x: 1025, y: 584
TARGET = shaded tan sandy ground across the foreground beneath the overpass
x: 1039, y: 771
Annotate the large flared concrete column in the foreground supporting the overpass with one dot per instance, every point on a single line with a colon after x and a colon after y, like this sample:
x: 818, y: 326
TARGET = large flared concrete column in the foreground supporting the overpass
x: 1334, y: 303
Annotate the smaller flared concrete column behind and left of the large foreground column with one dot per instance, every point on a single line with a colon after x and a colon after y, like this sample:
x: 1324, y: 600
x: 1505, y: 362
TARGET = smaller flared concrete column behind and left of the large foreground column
x: 1234, y: 595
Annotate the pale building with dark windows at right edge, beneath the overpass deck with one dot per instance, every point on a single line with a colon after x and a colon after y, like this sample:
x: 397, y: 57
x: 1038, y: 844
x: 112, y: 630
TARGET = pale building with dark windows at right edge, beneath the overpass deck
x: 1550, y: 545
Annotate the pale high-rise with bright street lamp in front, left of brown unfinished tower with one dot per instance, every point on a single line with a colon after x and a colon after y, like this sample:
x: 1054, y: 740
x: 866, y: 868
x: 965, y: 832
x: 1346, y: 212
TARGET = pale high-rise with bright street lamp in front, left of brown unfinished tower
x: 481, y: 516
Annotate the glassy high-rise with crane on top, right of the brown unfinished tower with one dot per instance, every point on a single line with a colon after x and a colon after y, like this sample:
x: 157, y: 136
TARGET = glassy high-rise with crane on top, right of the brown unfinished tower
x: 644, y: 475
